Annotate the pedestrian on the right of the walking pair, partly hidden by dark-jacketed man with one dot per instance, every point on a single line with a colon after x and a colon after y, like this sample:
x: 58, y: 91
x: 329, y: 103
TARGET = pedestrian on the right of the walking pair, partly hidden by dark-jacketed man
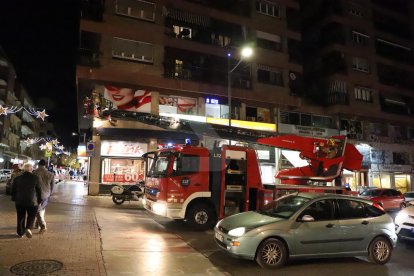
x: 47, y: 182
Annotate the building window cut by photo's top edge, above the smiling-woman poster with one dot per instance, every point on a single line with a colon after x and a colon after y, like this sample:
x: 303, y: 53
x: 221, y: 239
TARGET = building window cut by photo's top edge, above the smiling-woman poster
x: 136, y: 9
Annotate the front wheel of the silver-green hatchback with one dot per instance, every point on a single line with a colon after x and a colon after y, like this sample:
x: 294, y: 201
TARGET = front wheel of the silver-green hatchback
x: 271, y: 253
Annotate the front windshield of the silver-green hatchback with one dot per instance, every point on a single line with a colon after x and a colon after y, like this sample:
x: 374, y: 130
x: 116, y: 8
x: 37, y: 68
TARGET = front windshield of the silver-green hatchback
x: 284, y: 207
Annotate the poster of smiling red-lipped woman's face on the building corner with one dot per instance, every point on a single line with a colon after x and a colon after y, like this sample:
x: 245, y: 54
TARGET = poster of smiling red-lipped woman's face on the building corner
x: 128, y: 99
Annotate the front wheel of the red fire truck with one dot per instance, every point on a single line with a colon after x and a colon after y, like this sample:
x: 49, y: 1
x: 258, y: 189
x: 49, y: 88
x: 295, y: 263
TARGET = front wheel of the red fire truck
x: 200, y: 216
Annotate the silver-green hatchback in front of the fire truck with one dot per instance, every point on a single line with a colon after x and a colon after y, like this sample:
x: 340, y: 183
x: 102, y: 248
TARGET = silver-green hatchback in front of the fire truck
x: 308, y: 225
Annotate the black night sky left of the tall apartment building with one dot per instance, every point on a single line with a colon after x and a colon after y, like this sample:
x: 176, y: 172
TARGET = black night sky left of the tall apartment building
x: 41, y: 38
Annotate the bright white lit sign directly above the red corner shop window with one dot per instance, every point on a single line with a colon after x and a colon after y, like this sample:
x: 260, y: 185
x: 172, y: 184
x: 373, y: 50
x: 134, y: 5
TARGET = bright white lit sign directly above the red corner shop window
x: 123, y: 148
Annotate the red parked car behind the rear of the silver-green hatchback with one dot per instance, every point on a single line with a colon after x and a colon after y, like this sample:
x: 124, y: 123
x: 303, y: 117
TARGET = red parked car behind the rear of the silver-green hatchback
x: 389, y: 199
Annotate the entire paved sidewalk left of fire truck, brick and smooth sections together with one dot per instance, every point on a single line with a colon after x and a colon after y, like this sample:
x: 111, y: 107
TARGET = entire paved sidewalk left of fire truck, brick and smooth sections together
x: 89, y: 235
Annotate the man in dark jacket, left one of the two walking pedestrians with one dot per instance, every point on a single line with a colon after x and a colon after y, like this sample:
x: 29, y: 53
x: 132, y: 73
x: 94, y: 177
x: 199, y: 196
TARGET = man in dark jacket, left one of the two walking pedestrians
x: 26, y: 194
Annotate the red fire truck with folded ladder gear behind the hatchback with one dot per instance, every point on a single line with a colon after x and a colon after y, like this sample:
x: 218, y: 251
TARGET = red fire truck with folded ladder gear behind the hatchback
x: 201, y: 185
